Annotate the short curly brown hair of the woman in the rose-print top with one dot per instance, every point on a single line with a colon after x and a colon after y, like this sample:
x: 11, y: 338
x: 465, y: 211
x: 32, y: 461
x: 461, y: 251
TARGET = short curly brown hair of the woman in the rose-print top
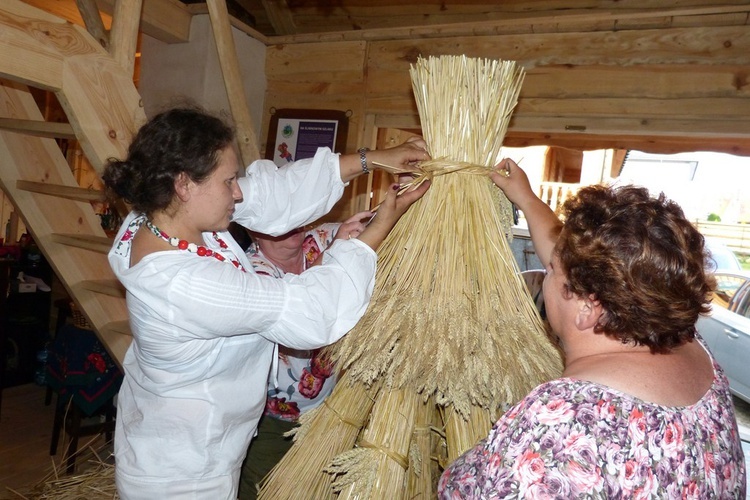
x: 641, y: 259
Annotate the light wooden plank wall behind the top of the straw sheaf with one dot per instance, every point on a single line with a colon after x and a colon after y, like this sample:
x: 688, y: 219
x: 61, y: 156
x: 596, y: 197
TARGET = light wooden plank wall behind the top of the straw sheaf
x: 688, y: 84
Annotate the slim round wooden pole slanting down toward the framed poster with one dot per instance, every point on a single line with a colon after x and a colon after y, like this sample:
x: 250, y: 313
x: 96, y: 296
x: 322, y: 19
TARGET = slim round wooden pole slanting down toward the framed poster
x: 222, y: 29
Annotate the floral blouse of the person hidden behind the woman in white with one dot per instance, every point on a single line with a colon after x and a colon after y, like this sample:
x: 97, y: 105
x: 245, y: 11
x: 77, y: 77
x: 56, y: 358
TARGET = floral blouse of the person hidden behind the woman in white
x: 304, y: 377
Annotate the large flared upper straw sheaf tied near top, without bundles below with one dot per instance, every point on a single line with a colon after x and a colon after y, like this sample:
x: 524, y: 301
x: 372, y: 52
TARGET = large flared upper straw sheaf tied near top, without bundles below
x: 450, y: 316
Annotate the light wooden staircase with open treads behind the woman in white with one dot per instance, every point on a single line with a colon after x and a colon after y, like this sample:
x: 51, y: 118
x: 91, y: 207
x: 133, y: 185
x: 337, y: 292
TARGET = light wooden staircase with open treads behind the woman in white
x: 103, y: 109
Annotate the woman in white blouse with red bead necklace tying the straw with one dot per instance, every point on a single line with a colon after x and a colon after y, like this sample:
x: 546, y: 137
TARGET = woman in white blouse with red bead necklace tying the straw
x: 205, y: 325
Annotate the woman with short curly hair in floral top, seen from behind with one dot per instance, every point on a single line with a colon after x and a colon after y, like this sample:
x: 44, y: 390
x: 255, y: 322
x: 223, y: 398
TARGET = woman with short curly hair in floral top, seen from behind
x: 642, y: 410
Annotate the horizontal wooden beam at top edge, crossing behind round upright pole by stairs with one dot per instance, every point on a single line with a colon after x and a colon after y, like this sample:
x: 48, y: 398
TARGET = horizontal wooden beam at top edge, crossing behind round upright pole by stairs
x: 165, y: 20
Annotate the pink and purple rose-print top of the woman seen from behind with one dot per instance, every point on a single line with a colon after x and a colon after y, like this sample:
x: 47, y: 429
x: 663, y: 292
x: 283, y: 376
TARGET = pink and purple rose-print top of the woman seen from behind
x: 571, y: 438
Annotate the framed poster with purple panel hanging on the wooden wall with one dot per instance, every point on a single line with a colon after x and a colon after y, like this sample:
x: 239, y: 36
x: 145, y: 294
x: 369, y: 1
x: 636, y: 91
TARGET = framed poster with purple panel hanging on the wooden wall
x: 294, y: 134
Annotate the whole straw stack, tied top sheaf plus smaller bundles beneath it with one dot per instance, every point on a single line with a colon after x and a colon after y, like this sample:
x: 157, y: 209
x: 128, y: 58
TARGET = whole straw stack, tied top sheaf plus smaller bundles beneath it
x: 450, y: 321
